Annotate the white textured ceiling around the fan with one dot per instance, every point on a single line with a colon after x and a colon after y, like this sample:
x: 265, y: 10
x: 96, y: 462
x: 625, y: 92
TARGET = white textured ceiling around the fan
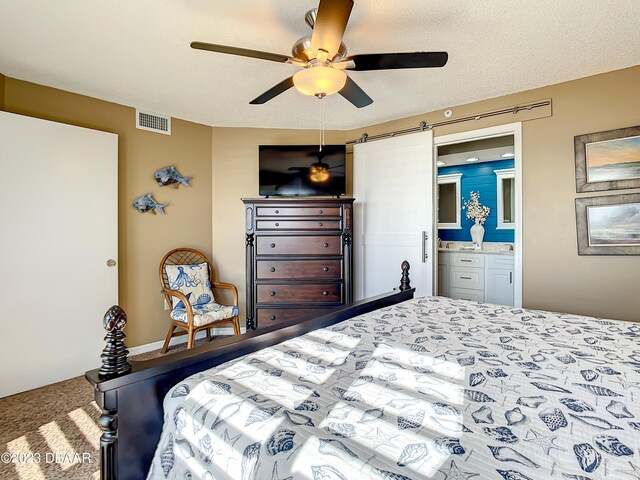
x: 136, y: 52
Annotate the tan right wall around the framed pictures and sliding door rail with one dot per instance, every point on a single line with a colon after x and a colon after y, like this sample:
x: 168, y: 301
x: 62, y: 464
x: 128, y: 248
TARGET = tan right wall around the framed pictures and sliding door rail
x: 555, y: 277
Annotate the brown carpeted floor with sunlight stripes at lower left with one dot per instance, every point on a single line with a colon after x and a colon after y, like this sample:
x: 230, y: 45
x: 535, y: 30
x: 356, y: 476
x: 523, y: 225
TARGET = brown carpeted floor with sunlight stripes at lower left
x: 52, y: 432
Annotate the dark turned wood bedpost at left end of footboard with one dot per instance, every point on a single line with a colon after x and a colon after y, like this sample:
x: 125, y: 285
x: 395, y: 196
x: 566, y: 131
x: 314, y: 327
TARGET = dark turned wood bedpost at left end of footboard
x: 114, y: 363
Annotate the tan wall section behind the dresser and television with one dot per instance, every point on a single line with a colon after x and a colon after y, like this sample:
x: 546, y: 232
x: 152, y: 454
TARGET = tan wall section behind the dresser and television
x: 235, y: 176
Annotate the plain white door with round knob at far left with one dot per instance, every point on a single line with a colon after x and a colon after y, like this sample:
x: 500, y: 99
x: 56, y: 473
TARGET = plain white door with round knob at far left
x: 58, y: 205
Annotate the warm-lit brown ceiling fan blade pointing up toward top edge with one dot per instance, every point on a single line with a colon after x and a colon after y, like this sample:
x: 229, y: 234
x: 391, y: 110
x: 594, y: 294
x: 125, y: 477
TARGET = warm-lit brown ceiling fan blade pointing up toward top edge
x: 330, y: 24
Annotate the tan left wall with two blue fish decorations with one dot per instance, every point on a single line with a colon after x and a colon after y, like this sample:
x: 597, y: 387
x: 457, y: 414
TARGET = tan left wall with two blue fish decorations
x: 143, y: 238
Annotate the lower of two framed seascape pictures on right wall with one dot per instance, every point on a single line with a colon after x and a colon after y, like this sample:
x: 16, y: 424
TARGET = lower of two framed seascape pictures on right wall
x: 608, y: 225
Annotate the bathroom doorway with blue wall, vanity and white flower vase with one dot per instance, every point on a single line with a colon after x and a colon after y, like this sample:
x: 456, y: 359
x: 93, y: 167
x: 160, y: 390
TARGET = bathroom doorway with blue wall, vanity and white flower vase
x: 479, y: 215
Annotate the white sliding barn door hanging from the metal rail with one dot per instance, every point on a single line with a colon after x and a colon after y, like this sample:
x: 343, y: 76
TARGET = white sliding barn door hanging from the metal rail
x: 393, y: 187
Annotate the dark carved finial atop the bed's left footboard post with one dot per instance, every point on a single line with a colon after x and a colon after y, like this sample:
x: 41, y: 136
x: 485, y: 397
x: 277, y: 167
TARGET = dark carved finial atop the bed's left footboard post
x: 114, y: 355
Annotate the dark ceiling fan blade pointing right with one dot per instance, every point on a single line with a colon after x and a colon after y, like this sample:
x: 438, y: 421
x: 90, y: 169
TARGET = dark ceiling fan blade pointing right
x: 389, y: 61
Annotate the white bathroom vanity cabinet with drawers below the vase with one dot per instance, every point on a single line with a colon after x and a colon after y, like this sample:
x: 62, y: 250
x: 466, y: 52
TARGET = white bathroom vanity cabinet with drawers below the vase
x: 480, y: 277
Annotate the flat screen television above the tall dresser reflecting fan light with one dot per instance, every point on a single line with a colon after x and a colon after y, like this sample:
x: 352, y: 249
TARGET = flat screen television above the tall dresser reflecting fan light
x: 302, y: 170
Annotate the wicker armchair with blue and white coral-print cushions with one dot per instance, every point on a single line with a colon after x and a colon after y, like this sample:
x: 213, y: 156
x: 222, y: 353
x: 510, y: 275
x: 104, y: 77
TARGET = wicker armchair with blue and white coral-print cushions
x: 187, y: 317
